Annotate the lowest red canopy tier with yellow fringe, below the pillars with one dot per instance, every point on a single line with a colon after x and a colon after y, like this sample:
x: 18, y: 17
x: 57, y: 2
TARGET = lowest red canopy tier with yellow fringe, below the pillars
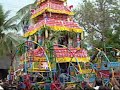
x: 64, y: 55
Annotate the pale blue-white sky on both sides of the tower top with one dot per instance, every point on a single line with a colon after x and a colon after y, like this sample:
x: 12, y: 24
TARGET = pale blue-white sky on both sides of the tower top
x: 15, y: 5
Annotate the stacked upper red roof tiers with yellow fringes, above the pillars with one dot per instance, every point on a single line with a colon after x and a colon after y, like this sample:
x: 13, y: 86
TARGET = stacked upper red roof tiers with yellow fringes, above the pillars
x: 53, y: 14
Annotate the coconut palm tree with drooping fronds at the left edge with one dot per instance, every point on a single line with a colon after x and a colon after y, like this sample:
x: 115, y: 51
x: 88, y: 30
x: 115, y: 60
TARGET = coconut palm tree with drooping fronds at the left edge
x: 8, y: 39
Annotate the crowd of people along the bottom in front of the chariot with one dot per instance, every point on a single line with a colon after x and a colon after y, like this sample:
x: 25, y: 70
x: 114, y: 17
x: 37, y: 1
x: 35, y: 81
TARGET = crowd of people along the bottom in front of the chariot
x: 25, y: 82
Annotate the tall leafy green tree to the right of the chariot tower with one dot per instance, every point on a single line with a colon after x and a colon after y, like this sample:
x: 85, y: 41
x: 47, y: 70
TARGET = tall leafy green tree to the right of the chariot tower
x: 100, y: 20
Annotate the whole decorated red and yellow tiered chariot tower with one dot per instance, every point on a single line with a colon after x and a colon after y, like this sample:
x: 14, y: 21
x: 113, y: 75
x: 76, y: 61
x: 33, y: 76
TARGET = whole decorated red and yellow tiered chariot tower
x: 54, y: 39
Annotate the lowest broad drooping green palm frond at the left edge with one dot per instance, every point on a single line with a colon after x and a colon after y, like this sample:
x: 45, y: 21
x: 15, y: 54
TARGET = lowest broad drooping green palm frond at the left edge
x: 9, y: 43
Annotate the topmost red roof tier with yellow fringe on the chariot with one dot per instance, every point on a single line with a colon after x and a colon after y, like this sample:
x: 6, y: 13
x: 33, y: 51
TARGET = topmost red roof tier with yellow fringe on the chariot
x: 54, y: 6
